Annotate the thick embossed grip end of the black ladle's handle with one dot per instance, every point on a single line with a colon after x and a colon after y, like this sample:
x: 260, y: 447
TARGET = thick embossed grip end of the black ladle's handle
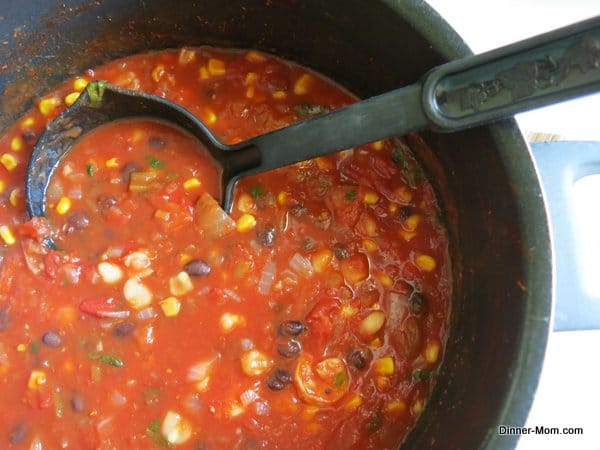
x: 539, y: 71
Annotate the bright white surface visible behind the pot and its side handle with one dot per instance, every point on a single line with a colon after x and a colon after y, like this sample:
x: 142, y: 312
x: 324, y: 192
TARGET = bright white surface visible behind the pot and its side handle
x: 569, y: 389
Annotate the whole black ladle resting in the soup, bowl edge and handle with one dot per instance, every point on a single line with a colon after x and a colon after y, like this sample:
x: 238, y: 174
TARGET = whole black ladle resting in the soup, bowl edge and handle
x: 542, y: 70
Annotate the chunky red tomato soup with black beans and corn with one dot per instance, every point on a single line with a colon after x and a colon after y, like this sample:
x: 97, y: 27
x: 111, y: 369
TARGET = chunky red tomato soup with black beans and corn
x: 349, y: 239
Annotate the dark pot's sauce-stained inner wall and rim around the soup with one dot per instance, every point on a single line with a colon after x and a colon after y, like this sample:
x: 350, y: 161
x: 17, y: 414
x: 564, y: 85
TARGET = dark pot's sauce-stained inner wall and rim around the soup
x: 493, y: 356
